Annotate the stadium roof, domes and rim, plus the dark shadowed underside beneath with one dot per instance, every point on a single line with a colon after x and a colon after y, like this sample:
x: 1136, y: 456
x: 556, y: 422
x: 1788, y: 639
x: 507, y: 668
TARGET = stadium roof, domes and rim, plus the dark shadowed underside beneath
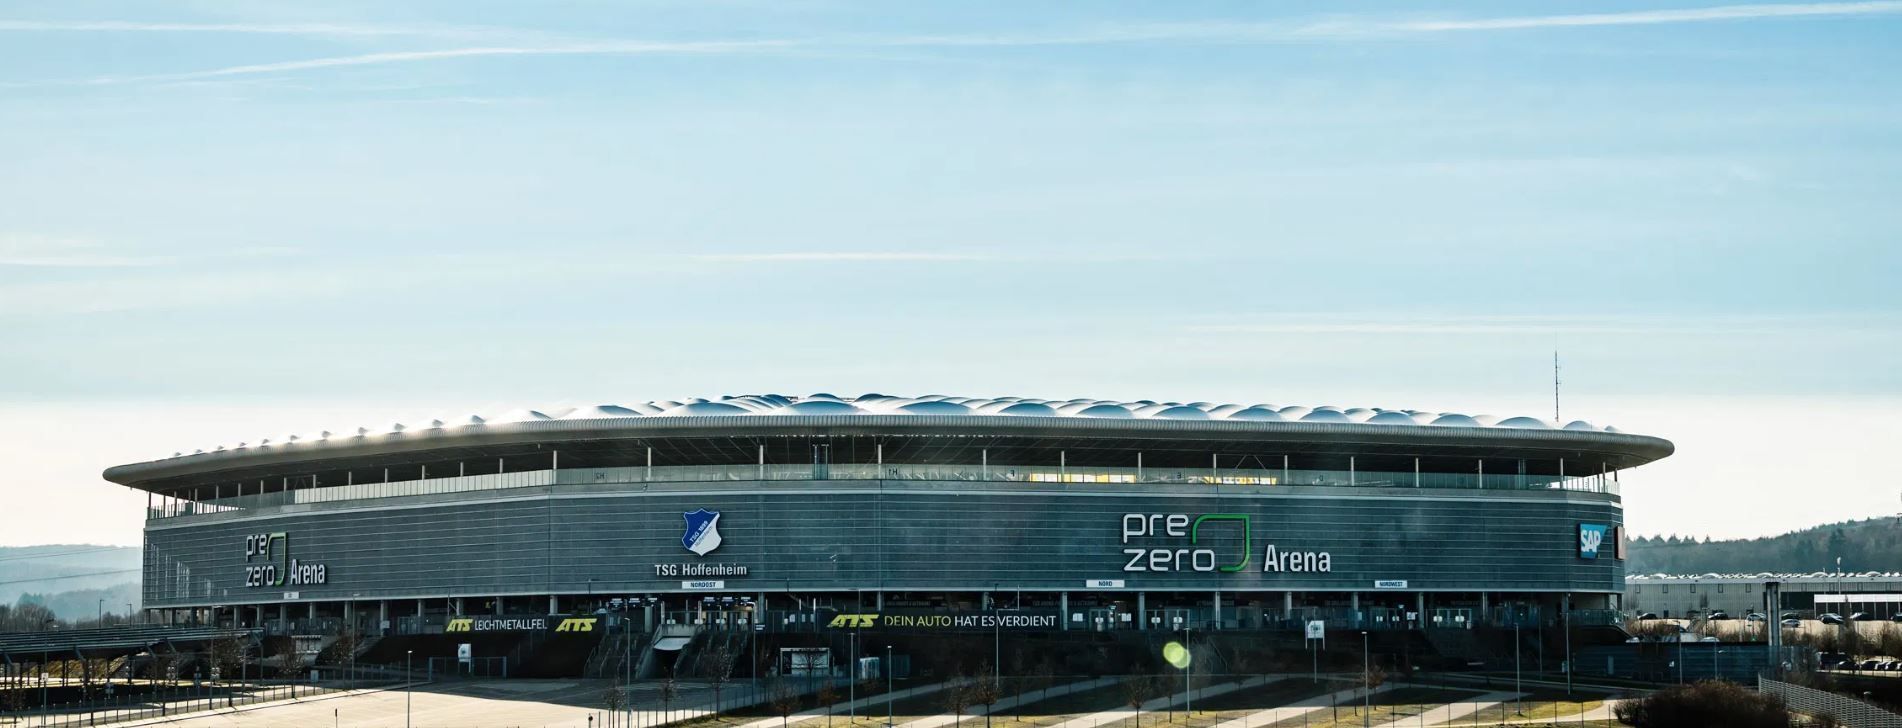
x: 916, y: 431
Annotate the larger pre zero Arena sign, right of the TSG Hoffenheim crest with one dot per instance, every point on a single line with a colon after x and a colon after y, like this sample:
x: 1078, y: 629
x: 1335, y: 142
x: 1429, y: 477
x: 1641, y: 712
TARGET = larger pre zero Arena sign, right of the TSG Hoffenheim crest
x: 1201, y: 554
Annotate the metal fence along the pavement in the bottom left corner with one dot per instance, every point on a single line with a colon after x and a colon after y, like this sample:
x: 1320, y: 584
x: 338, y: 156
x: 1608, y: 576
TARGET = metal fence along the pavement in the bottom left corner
x: 159, y: 704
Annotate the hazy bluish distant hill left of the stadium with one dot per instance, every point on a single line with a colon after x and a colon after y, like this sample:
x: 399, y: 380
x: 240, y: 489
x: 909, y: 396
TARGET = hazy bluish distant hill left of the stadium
x: 90, y: 573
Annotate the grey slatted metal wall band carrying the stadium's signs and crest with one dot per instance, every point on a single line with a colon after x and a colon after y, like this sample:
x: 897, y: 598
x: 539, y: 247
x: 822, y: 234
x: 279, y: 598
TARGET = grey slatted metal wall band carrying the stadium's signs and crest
x: 923, y: 537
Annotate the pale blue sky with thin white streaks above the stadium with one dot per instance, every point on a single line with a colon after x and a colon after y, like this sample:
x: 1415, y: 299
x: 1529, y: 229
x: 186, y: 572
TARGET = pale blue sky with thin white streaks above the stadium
x: 227, y: 218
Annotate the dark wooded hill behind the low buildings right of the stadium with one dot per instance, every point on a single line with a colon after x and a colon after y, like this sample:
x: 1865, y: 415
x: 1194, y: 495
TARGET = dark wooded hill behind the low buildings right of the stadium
x: 1865, y: 546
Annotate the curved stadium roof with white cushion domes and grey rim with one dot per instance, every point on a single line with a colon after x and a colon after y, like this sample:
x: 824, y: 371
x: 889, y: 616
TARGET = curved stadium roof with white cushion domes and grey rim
x: 878, y: 413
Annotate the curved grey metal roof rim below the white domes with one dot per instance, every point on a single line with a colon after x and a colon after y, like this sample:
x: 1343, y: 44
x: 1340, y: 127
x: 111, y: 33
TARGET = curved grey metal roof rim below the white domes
x: 554, y: 432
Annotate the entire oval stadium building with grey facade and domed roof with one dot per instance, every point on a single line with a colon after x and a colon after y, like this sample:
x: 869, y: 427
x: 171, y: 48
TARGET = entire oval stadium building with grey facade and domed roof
x: 764, y: 512
